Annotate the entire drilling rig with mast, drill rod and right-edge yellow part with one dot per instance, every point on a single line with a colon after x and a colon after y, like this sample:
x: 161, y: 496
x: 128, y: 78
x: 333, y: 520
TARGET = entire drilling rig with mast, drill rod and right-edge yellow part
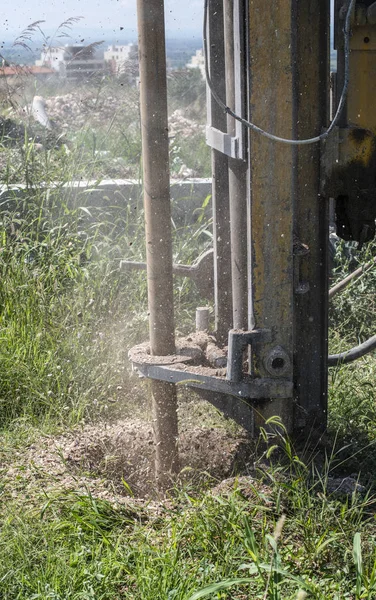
x: 281, y: 149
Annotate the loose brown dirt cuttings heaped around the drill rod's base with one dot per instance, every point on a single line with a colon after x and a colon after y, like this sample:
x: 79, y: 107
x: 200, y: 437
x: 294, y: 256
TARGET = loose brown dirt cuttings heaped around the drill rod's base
x: 116, y: 461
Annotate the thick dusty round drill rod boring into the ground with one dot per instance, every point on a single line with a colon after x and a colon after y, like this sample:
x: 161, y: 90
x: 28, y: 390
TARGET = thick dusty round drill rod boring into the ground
x: 155, y: 156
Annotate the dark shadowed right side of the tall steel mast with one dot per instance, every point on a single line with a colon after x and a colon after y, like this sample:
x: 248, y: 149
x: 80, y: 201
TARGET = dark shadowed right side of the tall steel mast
x: 311, y: 112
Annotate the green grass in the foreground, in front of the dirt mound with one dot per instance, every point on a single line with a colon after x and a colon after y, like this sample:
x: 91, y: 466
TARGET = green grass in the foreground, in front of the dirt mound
x: 268, y: 537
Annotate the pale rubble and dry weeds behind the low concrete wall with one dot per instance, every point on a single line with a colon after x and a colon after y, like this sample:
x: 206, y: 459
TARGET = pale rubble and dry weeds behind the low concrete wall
x: 114, y: 117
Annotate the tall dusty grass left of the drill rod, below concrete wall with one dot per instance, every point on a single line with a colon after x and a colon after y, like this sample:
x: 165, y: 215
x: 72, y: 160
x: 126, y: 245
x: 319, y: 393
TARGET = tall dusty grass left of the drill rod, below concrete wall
x: 68, y: 313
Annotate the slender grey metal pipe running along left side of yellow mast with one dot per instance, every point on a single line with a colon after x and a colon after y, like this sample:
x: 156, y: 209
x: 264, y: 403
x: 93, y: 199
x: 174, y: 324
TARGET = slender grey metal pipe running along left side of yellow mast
x: 237, y: 170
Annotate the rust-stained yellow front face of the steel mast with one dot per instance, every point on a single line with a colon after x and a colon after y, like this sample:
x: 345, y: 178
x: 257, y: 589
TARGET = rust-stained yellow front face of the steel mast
x: 271, y: 172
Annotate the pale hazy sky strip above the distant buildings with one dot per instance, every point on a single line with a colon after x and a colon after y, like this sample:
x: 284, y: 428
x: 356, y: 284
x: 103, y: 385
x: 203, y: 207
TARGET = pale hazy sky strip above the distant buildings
x: 181, y: 16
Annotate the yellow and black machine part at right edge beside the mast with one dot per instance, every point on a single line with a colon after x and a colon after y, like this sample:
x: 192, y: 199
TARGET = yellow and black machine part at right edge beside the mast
x: 350, y: 178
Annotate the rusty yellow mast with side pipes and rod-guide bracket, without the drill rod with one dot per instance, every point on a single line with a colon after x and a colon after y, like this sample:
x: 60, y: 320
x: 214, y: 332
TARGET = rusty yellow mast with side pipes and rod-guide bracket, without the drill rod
x: 276, y: 357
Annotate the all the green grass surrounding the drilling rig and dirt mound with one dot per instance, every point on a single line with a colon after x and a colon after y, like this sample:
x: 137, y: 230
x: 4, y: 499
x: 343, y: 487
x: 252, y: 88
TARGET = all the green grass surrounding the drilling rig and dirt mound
x: 68, y: 316
